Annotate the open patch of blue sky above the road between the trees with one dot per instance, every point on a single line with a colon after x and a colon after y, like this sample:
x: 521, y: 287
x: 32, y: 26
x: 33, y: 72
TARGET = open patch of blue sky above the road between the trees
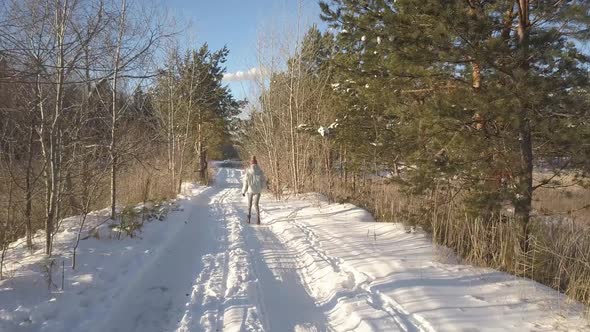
x: 236, y: 23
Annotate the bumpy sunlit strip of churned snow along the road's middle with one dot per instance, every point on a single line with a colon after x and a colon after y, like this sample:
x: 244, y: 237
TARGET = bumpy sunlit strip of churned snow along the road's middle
x: 222, y: 293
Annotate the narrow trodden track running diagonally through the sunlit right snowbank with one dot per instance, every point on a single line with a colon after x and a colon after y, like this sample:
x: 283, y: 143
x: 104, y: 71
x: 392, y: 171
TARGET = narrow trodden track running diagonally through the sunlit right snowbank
x: 361, y: 286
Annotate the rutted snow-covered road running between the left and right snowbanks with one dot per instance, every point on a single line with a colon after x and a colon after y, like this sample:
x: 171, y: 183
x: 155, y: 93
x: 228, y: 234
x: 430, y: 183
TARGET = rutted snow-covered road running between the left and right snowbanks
x: 217, y: 273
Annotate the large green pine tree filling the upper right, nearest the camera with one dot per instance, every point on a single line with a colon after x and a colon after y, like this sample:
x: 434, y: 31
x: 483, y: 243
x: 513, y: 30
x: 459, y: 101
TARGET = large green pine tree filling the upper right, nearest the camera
x: 479, y: 91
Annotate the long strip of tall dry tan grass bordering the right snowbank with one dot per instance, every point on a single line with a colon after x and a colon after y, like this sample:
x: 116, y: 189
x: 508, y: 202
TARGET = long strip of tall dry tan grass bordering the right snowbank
x: 559, y: 251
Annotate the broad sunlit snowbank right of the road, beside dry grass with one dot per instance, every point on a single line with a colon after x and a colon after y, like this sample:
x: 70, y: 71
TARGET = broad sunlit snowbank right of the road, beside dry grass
x: 370, y: 276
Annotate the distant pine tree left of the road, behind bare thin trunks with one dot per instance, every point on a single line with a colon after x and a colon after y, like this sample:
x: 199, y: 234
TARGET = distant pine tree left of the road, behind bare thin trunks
x: 196, y: 108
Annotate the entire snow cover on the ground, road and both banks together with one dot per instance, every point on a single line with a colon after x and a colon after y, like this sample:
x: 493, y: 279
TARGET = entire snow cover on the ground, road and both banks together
x: 310, y: 266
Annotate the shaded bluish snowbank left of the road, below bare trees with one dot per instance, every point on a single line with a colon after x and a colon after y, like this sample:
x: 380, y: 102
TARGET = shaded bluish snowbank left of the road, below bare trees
x: 32, y: 298
